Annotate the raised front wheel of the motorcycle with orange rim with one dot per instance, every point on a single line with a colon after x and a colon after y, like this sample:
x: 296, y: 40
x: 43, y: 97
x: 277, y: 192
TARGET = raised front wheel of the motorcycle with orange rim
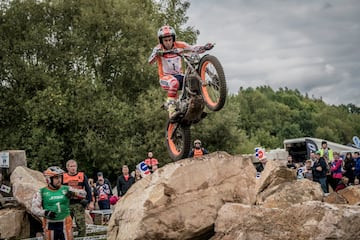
x: 213, y: 85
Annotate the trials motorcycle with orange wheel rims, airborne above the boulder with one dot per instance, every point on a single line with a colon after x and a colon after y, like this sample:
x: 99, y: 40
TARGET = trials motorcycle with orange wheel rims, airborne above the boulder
x: 204, y: 84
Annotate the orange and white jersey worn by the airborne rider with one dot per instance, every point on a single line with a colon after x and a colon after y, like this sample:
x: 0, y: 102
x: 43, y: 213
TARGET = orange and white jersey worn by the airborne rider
x: 170, y: 63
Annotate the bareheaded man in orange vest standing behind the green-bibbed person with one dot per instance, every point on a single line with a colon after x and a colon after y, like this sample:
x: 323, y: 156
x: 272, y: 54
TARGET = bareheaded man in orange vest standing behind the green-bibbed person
x: 78, y: 180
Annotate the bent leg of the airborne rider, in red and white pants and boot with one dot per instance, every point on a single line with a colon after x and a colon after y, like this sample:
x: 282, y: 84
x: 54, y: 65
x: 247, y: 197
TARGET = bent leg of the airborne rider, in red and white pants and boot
x: 171, y: 84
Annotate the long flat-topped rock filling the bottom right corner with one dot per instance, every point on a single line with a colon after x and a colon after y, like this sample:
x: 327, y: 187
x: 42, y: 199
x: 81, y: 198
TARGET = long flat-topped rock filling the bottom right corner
x: 308, y: 220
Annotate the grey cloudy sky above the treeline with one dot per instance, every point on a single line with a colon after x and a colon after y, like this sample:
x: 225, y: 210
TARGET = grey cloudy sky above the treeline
x: 312, y: 46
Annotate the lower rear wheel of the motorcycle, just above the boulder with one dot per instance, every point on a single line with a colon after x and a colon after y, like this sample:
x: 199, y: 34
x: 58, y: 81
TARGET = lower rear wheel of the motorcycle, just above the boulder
x: 178, y: 140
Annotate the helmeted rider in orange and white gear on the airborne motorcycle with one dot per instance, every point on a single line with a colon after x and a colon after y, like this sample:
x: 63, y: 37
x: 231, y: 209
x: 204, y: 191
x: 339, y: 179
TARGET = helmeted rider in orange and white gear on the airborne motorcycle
x: 170, y: 65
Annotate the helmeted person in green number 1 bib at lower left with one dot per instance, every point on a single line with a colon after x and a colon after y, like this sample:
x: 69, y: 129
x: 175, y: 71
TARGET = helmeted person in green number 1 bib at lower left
x: 53, y: 205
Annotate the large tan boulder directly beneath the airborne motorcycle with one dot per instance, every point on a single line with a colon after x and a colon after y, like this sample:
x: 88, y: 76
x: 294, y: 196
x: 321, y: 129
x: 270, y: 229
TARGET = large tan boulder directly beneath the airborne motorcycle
x: 181, y: 199
